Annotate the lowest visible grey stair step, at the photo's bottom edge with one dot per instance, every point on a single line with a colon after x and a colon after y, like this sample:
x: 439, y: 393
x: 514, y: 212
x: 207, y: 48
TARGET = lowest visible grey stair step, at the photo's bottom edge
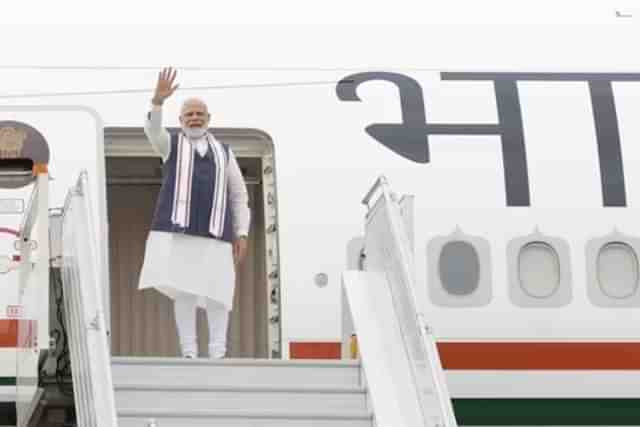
x: 164, y: 418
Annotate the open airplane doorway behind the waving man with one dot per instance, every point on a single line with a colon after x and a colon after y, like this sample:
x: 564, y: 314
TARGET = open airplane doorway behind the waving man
x: 143, y: 322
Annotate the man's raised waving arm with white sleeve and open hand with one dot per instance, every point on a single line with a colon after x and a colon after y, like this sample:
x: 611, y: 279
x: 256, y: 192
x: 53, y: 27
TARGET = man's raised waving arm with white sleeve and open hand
x: 157, y: 135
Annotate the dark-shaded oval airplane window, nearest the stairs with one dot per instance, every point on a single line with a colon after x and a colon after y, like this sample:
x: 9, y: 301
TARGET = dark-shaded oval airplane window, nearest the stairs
x: 459, y: 267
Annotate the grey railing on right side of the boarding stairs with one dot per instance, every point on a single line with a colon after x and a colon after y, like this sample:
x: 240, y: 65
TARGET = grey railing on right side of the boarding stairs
x: 388, y: 248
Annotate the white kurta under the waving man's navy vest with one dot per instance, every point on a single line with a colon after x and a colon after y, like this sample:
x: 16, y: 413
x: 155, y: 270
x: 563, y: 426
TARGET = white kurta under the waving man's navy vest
x: 174, y: 262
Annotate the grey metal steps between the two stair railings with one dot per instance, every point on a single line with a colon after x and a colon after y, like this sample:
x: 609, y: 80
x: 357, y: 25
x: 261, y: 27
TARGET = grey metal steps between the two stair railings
x: 239, y: 392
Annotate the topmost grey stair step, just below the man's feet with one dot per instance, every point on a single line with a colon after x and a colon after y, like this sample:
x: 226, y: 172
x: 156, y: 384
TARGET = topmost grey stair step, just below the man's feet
x: 234, y: 372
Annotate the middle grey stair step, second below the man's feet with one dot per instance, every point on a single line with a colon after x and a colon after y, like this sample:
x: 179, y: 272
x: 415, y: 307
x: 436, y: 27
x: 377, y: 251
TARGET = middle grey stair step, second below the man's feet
x: 296, y: 400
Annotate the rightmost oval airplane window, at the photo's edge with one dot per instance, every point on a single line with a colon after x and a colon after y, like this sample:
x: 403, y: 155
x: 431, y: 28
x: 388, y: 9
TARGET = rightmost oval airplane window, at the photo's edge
x: 617, y: 266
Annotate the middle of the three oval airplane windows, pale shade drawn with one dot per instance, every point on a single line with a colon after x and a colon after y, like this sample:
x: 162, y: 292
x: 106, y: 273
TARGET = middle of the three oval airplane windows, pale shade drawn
x: 539, y: 270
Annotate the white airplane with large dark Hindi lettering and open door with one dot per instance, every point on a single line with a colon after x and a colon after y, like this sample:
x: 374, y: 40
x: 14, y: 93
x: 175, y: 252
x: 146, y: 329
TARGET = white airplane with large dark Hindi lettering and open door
x: 517, y: 145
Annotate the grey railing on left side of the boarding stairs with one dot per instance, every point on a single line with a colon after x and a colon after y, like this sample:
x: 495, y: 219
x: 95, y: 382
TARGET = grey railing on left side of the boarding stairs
x: 84, y: 311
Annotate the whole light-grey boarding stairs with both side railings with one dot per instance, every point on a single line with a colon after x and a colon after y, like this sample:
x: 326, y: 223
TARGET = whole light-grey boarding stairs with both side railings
x: 398, y: 381
